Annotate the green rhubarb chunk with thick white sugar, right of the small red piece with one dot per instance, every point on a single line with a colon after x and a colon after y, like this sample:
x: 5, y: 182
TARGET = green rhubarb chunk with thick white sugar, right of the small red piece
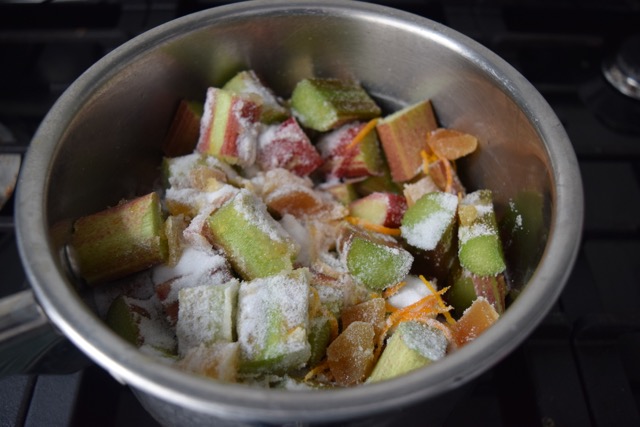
x: 426, y: 221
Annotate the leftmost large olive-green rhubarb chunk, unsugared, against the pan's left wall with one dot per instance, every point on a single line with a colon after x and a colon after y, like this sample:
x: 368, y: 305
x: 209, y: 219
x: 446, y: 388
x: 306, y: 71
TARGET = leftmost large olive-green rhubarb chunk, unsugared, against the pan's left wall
x: 119, y: 241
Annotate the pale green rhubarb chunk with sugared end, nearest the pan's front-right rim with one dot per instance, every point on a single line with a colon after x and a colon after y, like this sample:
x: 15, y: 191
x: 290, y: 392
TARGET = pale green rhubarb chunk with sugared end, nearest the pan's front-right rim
x: 412, y: 346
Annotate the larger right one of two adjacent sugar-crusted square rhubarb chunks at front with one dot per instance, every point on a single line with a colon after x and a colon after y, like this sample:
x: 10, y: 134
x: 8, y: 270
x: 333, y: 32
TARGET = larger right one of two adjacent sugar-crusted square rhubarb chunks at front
x: 272, y: 322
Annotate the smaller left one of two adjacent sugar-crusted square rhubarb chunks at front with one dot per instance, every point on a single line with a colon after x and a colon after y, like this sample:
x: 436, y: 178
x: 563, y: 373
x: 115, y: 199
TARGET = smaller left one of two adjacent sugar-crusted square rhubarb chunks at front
x: 207, y: 315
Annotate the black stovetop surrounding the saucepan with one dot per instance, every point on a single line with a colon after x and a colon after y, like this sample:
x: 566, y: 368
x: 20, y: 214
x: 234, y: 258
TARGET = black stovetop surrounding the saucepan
x: 580, y: 366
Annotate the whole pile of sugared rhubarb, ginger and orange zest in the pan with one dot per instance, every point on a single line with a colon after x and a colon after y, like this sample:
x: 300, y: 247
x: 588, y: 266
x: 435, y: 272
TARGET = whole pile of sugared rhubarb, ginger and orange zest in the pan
x: 309, y: 242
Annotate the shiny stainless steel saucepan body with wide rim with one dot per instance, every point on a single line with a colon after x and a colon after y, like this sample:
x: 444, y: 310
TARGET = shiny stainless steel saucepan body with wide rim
x: 101, y: 143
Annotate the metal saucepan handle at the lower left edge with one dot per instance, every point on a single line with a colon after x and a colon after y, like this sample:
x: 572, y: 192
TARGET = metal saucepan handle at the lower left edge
x: 29, y: 343
